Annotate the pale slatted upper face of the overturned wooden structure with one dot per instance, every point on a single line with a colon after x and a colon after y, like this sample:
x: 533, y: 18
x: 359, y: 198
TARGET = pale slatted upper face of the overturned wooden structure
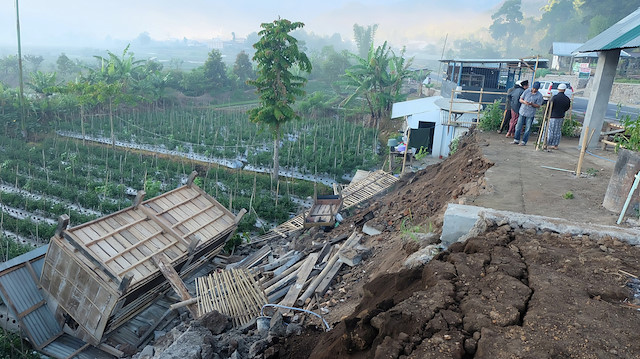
x: 125, y: 241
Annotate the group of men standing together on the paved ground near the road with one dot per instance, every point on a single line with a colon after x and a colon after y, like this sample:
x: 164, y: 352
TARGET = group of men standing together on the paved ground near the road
x: 523, y: 102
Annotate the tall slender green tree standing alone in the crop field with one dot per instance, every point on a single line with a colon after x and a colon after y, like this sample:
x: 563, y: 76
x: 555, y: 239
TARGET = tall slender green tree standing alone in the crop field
x: 278, y: 85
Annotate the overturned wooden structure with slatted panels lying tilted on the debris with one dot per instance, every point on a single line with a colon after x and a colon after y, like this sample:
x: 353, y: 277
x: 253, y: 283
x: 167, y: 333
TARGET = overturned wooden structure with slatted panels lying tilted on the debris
x: 102, y: 273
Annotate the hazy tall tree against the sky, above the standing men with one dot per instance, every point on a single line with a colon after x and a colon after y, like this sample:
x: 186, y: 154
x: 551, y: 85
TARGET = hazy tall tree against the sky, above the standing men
x: 507, y: 23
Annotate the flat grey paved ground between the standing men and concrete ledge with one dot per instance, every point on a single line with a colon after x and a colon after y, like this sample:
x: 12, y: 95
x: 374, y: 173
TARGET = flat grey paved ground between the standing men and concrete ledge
x: 519, y: 183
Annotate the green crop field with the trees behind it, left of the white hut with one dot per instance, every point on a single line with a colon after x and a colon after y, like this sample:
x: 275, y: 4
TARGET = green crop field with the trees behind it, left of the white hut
x: 161, y: 124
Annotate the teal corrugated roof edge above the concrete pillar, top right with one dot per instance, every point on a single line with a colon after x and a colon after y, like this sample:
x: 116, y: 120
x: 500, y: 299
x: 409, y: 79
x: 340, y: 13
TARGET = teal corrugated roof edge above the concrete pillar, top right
x: 624, y: 34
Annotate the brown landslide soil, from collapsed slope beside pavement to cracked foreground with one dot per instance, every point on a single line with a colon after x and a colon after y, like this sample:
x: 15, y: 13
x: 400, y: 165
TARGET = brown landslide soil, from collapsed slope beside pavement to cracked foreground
x: 509, y: 293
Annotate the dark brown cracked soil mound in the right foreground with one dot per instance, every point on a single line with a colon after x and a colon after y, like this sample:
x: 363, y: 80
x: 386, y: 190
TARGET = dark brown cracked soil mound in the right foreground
x: 509, y: 293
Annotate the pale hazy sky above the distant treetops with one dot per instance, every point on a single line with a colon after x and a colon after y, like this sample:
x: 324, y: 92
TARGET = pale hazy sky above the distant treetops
x: 85, y: 22
